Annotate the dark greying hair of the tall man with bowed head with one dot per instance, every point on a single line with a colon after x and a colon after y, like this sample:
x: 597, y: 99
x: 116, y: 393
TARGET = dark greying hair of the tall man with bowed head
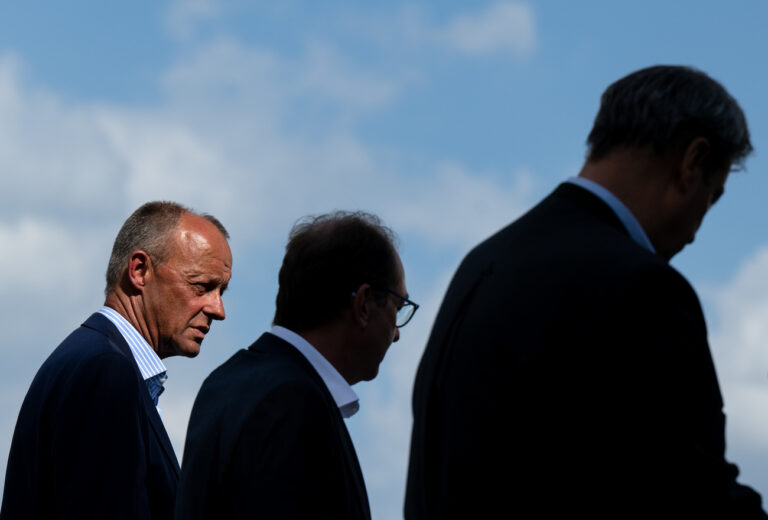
x: 666, y: 107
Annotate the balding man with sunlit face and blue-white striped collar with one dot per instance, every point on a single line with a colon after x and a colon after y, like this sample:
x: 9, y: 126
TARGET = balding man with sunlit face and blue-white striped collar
x: 89, y: 441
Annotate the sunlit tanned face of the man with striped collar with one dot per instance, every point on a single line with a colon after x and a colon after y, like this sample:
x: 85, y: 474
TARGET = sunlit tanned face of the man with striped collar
x: 183, y: 295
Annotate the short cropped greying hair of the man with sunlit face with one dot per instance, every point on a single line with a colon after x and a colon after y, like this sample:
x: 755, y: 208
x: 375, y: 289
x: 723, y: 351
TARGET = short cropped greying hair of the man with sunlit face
x: 147, y: 229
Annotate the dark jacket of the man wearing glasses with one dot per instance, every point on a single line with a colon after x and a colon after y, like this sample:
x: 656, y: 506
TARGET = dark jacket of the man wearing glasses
x: 266, y: 440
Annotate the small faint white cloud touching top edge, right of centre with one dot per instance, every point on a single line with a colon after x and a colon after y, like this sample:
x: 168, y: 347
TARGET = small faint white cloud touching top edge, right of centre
x: 501, y: 27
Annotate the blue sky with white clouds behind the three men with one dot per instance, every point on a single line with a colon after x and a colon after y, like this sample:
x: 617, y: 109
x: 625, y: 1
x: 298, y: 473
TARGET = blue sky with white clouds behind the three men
x: 448, y: 119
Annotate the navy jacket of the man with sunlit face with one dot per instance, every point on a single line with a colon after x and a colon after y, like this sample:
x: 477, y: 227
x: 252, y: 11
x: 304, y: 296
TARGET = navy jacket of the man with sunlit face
x: 89, y: 442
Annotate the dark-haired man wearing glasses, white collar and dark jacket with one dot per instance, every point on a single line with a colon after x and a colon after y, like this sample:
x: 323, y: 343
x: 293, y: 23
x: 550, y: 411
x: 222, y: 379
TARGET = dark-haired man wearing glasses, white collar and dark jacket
x: 266, y: 437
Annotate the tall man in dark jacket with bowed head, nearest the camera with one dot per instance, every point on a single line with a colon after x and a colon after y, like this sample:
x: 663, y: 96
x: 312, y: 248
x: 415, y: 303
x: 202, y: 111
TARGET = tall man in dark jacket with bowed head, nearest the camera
x: 568, y: 373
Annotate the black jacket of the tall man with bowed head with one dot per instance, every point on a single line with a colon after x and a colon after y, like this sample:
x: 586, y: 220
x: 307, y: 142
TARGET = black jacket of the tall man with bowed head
x: 568, y: 375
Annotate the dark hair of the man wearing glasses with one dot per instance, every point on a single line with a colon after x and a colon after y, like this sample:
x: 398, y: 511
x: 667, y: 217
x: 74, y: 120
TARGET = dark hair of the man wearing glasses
x: 327, y: 258
